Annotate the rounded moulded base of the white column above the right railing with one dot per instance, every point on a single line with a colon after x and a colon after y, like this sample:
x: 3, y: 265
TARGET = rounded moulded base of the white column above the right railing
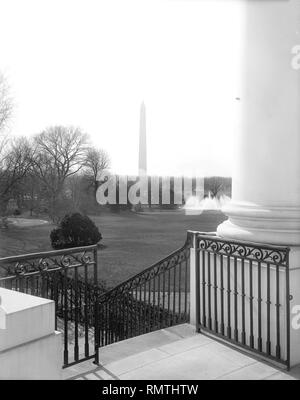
x: 272, y: 225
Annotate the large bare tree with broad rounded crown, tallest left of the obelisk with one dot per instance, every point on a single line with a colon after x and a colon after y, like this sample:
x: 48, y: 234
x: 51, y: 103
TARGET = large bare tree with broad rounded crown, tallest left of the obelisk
x: 60, y: 152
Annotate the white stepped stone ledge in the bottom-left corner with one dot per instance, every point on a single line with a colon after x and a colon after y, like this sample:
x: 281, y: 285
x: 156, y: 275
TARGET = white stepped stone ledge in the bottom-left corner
x: 30, y: 348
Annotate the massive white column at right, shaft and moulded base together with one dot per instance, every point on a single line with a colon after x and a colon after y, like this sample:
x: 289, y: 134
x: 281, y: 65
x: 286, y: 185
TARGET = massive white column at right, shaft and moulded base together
x: 266, y: 182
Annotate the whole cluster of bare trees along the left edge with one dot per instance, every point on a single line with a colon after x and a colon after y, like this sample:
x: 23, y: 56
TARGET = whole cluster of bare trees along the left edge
x: 53, y: 172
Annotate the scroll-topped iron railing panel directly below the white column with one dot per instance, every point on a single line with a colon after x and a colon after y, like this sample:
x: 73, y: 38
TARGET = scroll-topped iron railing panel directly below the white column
x: 243, y: 295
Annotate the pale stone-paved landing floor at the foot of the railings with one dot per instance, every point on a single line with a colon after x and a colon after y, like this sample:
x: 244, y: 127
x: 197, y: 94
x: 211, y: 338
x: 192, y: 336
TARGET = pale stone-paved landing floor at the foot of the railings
x: 176, y: 353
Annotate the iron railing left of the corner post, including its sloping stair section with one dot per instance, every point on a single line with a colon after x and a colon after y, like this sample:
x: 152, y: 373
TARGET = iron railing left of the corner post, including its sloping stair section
x: 91, y: 317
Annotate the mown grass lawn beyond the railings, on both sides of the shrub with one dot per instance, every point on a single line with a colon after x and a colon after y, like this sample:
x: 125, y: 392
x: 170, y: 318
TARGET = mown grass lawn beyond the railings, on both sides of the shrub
x: 132, y: 242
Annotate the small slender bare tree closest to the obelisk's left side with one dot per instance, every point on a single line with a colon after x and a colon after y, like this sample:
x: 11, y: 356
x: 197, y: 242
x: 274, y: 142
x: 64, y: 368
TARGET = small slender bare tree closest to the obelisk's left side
x: 97, y: 161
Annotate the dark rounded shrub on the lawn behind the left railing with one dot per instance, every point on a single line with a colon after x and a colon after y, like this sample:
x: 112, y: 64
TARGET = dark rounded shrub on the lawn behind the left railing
x: 75, y: 230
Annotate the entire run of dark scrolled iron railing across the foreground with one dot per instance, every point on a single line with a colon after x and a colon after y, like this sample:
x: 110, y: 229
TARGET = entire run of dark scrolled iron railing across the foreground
x: 241, y: 293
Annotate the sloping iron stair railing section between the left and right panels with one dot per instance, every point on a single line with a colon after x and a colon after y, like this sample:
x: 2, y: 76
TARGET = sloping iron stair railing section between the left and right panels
x: 156, y: 298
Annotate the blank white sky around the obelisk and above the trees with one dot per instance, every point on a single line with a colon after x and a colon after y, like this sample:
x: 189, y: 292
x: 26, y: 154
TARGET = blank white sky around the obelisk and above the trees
x: 91, y: 62
